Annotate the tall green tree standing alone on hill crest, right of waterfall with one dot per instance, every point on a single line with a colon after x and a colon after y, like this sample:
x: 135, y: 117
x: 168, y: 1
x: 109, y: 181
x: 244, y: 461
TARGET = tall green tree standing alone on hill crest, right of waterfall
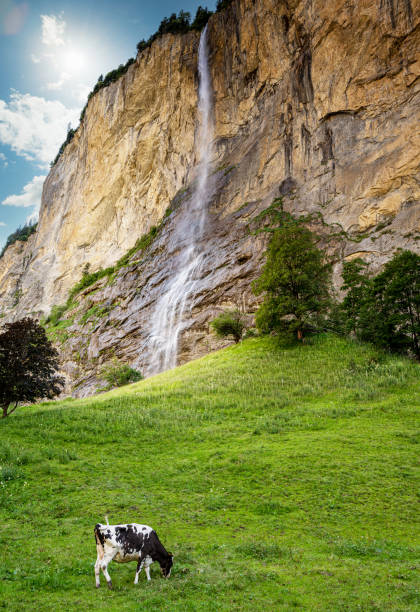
x: 295, y: 280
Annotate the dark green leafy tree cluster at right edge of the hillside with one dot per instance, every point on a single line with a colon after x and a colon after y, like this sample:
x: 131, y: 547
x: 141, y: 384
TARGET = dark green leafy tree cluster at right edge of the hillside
x: 385, y: 309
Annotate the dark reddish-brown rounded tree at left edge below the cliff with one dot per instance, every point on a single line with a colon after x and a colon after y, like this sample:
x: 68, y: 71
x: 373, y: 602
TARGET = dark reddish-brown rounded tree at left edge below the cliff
x: 28, y: 365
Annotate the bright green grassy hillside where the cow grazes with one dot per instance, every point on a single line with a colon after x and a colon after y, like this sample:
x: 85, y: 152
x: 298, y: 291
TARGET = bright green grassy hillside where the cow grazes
x: 281, y: 478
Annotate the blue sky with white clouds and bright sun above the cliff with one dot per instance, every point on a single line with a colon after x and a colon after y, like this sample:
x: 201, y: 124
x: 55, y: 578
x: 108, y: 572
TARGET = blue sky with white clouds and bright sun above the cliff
x: 52, y: 53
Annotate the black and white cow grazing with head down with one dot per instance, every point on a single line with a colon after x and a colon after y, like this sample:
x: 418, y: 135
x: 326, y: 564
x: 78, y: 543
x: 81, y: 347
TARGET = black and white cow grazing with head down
x: 130, y: 542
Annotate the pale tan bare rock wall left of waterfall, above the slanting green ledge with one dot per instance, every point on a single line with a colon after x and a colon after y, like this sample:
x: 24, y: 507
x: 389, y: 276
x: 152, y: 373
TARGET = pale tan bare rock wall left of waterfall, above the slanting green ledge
x: 131, y: 154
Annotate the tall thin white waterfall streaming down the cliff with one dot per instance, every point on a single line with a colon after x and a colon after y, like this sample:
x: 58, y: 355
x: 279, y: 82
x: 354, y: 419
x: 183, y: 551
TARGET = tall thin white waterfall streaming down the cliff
x: 167, y: 321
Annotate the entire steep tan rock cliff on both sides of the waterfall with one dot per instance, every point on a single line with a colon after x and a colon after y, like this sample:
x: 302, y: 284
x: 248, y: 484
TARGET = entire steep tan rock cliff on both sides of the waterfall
x: 315, y: 101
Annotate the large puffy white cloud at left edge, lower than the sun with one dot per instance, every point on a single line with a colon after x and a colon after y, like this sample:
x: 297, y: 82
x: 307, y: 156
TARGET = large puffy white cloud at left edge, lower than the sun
x: 34, y: 127
